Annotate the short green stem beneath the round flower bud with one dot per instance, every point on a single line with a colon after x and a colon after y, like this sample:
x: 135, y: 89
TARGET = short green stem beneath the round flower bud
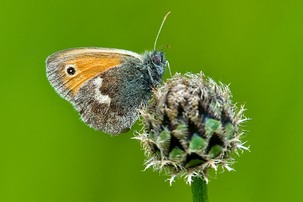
x: 199, y: 190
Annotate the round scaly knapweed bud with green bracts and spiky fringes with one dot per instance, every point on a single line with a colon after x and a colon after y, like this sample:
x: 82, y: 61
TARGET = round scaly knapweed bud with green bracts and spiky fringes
x: 191, y: 125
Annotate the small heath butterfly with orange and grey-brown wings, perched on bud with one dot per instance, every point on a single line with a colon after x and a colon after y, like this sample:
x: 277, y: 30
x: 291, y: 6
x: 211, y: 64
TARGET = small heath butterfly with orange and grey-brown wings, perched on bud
x: 106, y: 86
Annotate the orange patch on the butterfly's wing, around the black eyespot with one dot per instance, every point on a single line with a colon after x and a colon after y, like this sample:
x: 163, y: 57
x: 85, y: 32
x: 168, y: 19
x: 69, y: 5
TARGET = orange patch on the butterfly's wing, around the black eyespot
x: 88, y: 67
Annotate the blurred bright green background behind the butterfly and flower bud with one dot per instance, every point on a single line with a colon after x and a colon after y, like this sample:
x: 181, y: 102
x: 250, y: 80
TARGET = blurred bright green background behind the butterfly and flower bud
x: 48, y: 154
